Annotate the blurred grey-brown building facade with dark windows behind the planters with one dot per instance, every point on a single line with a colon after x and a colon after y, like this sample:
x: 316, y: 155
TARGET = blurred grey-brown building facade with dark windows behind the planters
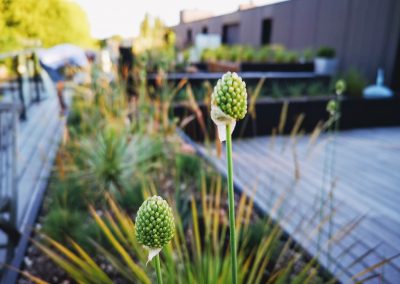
x: 364, y: 33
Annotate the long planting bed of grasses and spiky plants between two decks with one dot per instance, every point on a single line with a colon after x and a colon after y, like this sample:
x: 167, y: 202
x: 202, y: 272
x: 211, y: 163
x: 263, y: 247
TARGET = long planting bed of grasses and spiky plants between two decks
x: 118, y: 153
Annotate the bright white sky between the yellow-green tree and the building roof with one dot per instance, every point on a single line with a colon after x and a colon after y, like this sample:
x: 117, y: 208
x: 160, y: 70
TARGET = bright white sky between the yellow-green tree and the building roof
x: 123, y: 17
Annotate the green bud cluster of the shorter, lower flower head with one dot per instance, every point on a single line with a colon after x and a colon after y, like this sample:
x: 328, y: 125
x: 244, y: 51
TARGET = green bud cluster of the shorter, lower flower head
x: 155, y: 225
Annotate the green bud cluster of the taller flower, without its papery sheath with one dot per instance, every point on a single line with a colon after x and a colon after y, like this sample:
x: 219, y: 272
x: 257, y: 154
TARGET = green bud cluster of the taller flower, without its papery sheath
x: 230, y: 95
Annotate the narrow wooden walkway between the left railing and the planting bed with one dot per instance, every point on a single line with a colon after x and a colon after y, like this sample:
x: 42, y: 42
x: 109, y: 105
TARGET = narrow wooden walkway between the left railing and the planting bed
x: 38, y: 139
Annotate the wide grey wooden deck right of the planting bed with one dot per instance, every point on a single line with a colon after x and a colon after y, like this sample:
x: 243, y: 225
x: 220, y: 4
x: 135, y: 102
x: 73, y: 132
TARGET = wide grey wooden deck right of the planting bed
x: 357, y: 227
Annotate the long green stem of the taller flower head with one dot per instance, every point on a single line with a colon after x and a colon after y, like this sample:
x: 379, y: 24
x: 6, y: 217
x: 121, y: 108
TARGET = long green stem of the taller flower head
x: 231, y: 197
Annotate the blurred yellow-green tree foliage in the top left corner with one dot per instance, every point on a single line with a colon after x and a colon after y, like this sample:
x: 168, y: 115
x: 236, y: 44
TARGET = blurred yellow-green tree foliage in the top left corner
x: 48, y: 22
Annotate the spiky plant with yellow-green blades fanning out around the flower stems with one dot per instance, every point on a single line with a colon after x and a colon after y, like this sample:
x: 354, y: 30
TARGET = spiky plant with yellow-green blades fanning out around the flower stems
x: 197, y: 252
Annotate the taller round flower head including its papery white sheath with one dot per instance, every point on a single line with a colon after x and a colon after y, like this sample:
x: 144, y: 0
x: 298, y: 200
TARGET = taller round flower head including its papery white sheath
x: 228, y: 101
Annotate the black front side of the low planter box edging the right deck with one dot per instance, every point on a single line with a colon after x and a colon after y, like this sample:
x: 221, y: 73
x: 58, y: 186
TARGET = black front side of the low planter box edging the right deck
x: 356, y: 113
